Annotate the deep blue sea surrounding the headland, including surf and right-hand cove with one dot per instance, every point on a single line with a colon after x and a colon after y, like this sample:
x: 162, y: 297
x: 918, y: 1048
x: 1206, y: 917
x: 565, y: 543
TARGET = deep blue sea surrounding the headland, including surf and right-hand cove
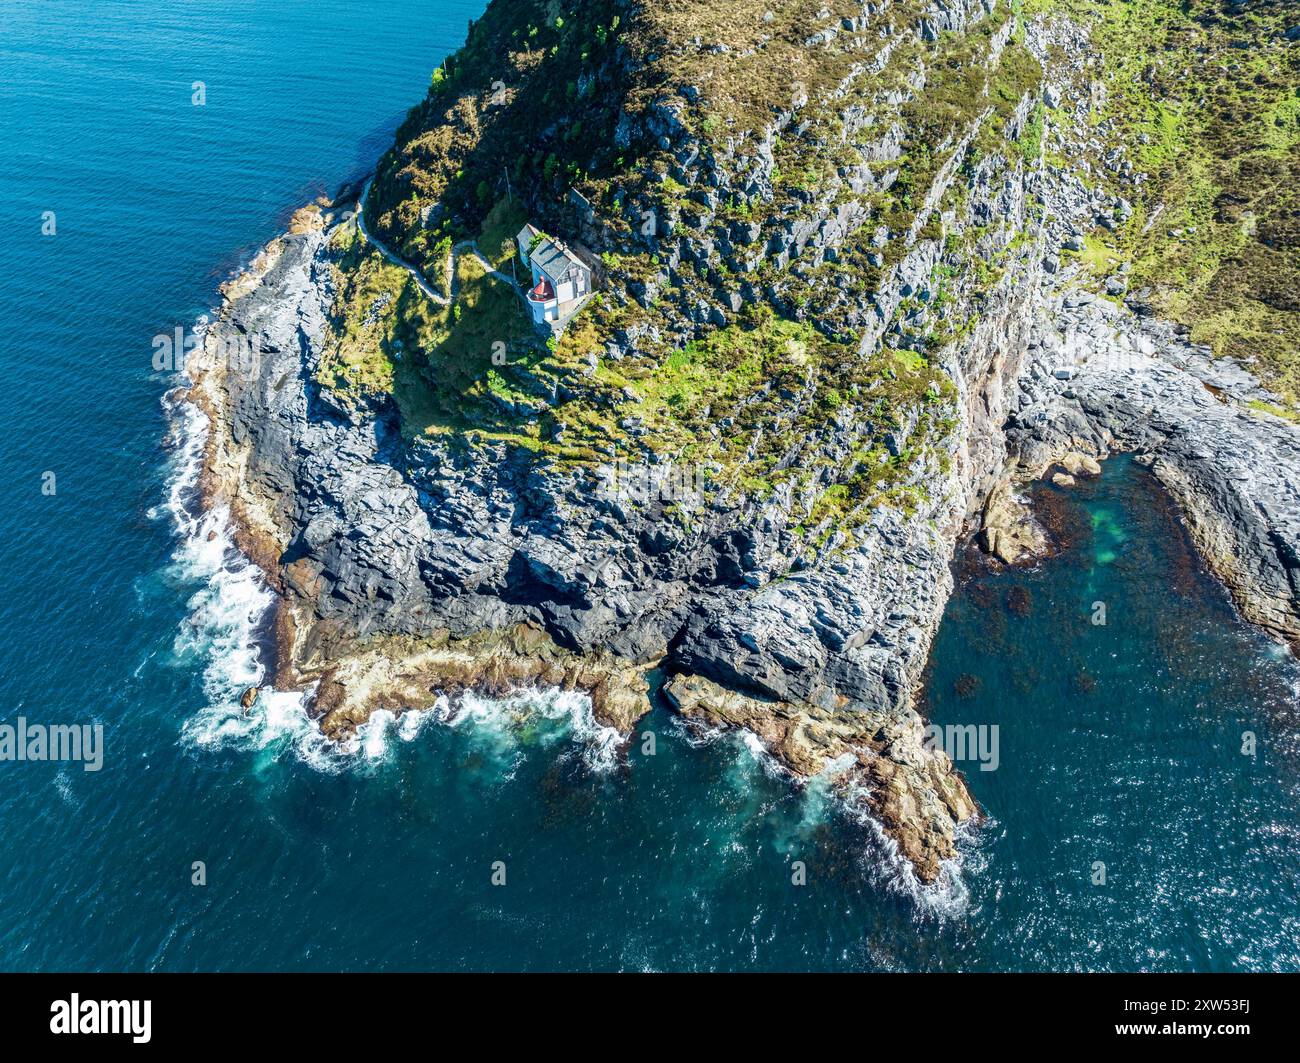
x: 1117, y: 744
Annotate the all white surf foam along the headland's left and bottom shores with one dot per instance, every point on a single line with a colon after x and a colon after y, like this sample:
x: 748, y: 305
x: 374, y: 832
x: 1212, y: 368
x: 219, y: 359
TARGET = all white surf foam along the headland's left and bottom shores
x: 233, y: 605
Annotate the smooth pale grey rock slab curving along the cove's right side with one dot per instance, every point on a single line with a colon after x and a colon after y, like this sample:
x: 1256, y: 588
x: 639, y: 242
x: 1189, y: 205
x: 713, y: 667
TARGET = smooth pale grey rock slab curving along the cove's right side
x: 1137, y: 387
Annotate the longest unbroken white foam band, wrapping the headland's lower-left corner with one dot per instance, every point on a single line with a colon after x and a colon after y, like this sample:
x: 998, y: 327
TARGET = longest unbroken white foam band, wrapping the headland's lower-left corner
x: 233, y: 608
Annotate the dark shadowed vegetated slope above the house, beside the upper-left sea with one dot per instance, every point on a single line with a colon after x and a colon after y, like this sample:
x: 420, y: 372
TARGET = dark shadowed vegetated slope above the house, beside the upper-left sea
x: 497, y: 118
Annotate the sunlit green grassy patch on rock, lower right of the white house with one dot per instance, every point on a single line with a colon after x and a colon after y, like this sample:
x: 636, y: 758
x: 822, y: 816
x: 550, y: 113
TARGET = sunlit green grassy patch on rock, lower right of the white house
x: 752, y: 396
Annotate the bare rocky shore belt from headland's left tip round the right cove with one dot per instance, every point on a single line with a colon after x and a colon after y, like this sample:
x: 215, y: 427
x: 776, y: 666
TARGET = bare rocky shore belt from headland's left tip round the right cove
x: 409, y: 570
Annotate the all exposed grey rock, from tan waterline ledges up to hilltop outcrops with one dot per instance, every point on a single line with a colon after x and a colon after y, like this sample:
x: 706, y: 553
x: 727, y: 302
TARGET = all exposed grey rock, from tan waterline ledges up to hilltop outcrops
x: 414, y: 567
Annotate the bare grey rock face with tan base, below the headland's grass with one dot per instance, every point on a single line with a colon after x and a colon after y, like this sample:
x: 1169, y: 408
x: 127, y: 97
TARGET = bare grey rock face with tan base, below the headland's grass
x: 502, y: 579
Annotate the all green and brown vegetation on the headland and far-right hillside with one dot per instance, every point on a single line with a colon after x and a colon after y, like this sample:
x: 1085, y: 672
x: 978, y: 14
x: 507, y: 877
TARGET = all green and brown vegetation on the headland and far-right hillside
x: 530, y: 103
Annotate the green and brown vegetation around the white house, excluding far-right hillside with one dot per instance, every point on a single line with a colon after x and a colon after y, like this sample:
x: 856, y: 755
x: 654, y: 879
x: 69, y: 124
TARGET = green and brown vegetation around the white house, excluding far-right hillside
x: 751, y: 396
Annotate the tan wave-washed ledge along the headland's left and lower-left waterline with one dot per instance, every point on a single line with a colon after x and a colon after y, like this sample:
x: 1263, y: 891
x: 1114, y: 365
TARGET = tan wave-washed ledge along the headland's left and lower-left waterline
x: 280, y: 301
